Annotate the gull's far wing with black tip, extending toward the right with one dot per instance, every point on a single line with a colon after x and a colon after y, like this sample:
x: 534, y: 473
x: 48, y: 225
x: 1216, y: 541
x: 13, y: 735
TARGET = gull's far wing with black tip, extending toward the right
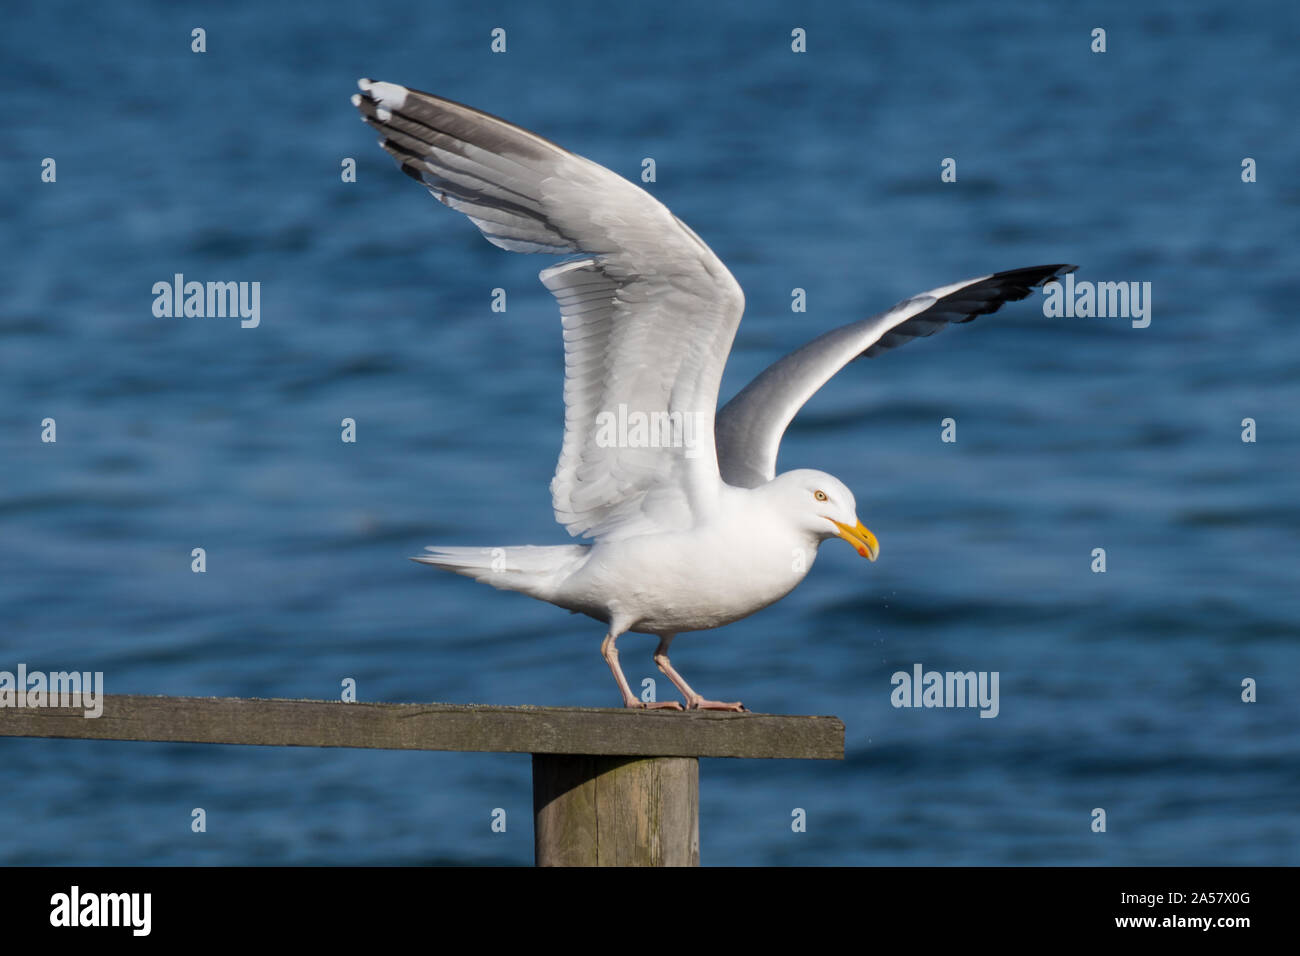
x: 751, y: 427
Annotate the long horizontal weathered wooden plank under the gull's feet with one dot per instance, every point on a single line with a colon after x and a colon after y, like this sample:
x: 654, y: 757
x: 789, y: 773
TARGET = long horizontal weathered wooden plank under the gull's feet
x: 437, y: 728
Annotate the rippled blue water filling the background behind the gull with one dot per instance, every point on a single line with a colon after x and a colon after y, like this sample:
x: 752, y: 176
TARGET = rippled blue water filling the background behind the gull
x: 818, y: 171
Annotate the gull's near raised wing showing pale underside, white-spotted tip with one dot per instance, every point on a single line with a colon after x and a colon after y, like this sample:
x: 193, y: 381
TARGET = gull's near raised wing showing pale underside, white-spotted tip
x: 649, y: 313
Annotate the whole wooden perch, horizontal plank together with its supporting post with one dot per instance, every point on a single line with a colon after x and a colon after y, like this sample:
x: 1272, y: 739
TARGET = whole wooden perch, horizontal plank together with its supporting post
x: 612, y: 788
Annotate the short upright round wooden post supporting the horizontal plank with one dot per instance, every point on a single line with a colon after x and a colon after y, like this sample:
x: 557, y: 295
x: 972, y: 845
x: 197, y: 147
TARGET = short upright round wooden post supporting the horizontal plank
x: 616, y: 811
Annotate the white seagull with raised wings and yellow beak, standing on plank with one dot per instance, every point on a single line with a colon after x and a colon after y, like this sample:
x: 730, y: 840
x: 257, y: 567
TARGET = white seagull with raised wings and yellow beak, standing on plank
x: 683, y: 522
